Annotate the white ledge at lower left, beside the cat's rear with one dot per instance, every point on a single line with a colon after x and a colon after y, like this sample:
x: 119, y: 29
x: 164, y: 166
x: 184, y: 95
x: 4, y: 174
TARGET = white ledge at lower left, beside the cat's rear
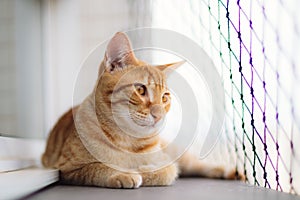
x: 16, y: 178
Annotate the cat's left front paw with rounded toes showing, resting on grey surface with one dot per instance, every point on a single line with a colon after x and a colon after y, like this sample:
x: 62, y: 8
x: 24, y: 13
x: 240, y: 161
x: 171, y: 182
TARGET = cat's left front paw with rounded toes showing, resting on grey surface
x: 129, y: 181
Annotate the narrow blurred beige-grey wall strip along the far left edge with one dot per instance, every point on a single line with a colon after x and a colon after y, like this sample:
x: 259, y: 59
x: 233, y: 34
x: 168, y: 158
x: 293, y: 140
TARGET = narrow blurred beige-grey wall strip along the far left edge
x: 7, y: 68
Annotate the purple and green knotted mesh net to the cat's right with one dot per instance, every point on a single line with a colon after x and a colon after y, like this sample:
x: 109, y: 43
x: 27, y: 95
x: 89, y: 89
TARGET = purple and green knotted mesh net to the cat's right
x: 256, y: 46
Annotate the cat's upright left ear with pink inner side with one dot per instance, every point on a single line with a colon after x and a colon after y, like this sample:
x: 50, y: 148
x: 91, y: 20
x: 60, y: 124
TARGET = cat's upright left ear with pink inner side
x: 119, y: 53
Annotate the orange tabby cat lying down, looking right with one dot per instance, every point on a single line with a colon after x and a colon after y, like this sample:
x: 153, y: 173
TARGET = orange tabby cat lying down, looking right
x: 120, y: 119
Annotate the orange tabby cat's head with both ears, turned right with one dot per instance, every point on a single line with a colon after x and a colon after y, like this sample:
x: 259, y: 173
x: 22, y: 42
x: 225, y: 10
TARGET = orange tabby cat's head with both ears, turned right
x: 132, y: 91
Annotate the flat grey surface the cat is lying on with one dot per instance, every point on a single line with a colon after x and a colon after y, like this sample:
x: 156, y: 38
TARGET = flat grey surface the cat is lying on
x: 185, y: 188
